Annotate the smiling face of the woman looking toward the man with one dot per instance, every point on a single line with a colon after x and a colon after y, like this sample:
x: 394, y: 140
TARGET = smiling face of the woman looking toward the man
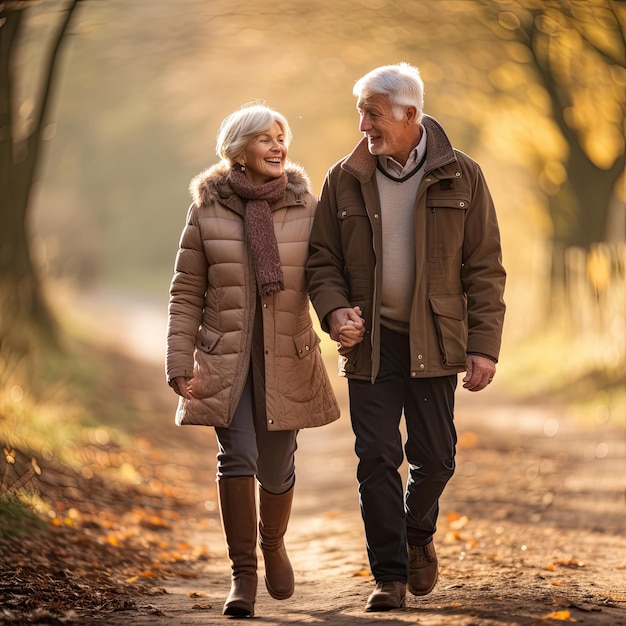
x: 265, y: 155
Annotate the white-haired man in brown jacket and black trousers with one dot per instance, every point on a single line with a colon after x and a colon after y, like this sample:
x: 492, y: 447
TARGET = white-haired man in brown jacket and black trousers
x: 405, y: 273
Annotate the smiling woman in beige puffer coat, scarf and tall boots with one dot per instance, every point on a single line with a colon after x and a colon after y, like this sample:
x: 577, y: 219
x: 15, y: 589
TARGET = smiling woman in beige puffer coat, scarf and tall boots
x: 242, y: 353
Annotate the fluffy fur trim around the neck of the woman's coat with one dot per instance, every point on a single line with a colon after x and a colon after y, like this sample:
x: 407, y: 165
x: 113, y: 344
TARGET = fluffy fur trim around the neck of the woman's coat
x: 213, y: 183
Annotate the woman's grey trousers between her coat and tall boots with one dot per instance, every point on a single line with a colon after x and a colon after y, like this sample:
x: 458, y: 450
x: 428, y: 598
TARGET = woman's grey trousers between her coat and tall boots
x: 248, y: 448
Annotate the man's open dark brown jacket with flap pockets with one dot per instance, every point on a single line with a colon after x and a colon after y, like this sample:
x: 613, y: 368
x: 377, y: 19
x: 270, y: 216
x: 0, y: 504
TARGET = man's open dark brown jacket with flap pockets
x: 457, y: 301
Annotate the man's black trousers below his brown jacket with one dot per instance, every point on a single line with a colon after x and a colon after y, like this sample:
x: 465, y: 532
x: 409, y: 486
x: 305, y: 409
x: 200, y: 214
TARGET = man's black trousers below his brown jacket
x: 394, y: 516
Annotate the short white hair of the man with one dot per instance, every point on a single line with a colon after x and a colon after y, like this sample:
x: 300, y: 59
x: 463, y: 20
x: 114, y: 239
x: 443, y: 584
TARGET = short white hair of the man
x: 402, y: 83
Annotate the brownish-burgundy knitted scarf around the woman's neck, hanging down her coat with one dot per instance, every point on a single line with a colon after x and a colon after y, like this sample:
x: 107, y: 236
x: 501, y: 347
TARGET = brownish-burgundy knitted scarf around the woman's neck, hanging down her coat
x: 260, y: 228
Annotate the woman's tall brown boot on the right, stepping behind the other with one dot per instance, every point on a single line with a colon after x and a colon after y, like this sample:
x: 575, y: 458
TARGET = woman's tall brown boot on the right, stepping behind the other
x: 274, y: 512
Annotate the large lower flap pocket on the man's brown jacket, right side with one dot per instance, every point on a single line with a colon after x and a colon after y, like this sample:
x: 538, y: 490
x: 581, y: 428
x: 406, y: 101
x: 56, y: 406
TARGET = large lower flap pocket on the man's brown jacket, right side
x: 450, y: 318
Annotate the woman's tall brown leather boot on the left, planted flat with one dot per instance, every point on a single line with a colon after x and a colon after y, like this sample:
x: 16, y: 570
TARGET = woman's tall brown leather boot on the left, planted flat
x: 238, y: 509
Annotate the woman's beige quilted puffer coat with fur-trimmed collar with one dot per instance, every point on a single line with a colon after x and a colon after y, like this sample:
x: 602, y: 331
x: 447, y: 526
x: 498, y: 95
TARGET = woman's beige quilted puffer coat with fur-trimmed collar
x: 212, y: 304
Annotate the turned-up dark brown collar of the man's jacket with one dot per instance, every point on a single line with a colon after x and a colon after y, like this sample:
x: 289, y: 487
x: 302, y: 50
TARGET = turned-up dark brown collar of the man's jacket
x: 439, y: 152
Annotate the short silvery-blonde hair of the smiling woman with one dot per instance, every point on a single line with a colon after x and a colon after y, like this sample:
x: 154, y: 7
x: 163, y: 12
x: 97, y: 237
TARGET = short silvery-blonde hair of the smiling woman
x: 240, y: 127
